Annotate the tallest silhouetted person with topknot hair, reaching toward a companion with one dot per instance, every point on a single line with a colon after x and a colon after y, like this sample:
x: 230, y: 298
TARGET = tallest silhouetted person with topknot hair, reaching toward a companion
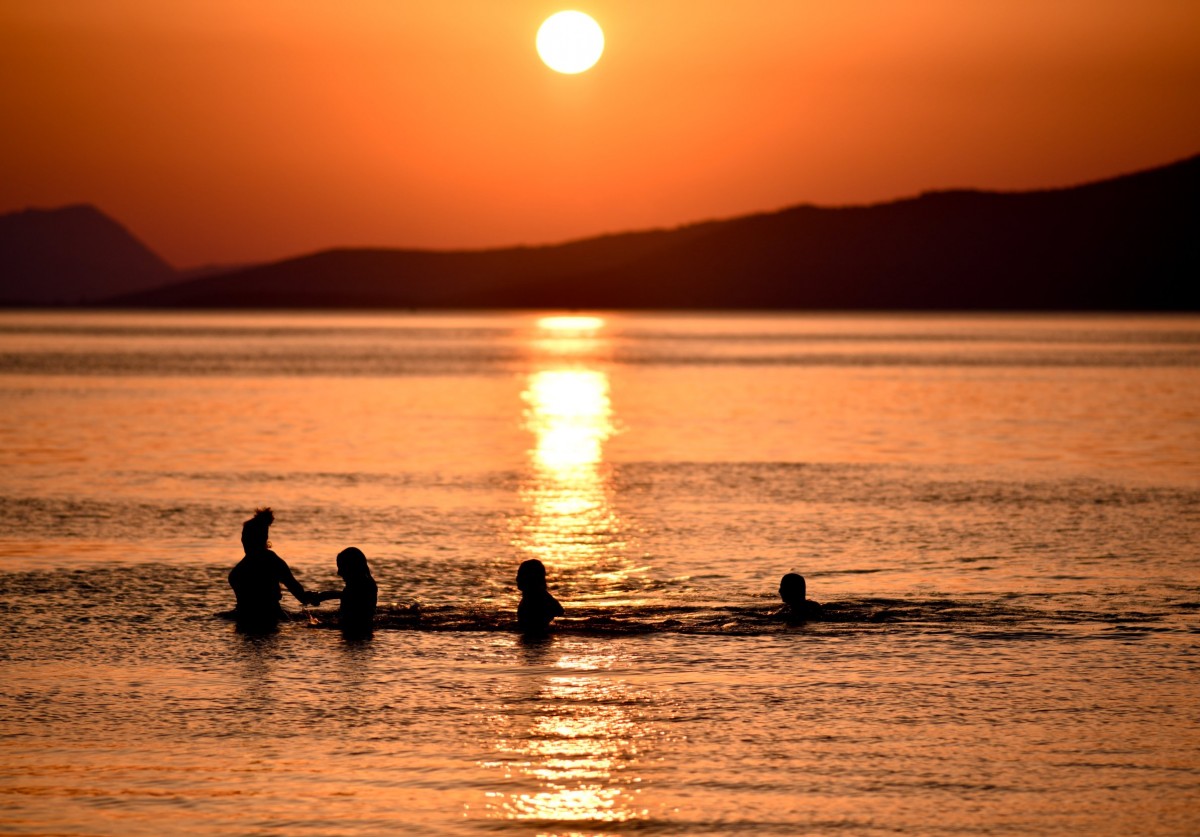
x: 257, y: 577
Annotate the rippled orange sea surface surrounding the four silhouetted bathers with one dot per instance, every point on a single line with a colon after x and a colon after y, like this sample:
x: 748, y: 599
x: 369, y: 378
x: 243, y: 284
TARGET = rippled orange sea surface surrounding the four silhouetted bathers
x: 1001, y: 515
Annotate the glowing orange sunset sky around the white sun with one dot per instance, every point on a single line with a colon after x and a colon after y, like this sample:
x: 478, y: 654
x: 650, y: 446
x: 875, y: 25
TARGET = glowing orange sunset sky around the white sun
x: 225, y: 131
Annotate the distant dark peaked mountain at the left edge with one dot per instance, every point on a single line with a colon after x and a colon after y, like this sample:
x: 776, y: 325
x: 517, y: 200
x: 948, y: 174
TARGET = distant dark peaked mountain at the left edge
x: 73, y: 255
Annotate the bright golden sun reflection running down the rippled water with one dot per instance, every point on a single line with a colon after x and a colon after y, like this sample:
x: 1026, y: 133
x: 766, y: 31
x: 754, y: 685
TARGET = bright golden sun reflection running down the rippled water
x: 567, y: 740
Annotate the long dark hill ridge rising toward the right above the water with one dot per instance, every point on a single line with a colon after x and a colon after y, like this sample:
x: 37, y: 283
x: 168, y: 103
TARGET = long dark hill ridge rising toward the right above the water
x: 1125, y: 244
